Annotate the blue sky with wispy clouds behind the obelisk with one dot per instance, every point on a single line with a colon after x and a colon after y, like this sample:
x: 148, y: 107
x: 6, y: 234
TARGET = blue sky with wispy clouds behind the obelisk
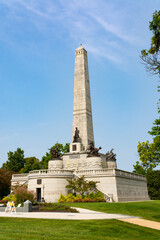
x: 37, y: 43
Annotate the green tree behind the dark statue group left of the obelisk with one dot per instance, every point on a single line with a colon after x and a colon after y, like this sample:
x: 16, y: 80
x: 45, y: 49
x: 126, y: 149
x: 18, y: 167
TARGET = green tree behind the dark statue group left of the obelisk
x: 61, y: 148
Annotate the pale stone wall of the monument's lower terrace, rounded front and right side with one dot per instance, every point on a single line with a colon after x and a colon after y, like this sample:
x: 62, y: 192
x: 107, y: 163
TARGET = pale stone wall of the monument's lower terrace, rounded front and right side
x: 122, y: 185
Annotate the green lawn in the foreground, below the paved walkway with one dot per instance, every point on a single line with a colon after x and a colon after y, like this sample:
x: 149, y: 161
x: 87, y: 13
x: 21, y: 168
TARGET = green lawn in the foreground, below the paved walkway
x: 38, y: 229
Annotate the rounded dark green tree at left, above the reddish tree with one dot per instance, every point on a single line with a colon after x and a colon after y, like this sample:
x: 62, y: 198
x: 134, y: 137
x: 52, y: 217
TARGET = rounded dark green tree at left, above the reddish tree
x: 15, y: 161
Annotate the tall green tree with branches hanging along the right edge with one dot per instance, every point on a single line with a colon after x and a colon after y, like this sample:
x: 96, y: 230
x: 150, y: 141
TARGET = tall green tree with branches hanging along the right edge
x: 149, y: 153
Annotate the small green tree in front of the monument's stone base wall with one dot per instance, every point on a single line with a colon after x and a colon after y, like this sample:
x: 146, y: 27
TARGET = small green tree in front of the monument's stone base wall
x: 81, y: 186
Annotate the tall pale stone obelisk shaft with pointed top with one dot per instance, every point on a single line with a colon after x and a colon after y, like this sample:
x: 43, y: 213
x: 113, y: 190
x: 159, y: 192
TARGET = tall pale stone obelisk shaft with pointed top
x: 82, y: 111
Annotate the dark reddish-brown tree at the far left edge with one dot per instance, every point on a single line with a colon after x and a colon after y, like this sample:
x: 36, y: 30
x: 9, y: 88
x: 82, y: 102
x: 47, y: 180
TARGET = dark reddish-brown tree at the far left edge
x: 5, y: 182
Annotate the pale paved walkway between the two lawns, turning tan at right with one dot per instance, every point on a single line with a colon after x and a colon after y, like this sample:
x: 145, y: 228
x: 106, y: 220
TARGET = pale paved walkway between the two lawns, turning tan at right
x: 85, y: 214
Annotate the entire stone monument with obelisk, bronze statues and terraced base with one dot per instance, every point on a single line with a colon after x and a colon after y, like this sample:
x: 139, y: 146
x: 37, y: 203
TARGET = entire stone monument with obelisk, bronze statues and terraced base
x: 84, y: 159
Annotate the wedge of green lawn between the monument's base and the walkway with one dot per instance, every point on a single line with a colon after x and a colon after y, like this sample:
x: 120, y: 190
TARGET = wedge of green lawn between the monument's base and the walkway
x: 148, y: 209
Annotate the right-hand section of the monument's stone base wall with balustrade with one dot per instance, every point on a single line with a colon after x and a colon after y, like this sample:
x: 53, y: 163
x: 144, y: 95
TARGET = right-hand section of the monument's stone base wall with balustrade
x: 124, y: 186
